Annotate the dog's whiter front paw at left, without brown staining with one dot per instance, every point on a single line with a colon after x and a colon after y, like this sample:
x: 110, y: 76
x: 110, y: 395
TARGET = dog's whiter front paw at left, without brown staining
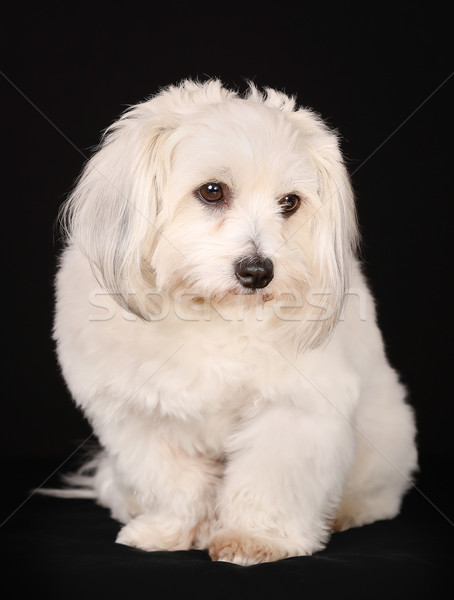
x: 151, y: 533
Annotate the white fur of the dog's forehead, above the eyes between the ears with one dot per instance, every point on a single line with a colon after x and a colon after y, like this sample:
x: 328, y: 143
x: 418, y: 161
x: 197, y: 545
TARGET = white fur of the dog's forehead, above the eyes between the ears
x: 245, y: 144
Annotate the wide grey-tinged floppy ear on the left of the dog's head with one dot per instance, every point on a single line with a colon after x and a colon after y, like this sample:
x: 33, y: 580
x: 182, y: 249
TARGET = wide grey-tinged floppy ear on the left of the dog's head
x: 112, y: 214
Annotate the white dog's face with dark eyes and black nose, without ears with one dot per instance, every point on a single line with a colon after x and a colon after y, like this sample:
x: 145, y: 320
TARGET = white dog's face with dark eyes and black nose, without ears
x: 240, y: 188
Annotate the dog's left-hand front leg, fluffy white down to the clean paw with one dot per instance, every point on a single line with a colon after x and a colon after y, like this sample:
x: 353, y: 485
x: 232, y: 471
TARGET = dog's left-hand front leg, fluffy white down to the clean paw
x: 175, y: 491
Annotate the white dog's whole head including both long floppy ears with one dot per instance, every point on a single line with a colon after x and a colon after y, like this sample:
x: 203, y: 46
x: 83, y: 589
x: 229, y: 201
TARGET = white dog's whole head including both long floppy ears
x: 202, y: 190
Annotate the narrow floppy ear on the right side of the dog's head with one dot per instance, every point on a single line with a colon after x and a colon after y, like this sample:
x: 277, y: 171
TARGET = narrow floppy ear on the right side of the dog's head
x: 333, y: 229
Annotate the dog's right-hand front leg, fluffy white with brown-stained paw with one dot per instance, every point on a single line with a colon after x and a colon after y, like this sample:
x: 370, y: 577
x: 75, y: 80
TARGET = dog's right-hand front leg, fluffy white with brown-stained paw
x: 282, y: 484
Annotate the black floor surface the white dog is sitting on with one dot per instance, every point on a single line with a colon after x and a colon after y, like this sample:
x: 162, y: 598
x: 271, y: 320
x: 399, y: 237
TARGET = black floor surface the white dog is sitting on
x: 66, y: 549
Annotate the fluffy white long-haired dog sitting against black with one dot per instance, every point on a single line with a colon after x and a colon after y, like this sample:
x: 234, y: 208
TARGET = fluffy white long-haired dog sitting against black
x: 214, y: 326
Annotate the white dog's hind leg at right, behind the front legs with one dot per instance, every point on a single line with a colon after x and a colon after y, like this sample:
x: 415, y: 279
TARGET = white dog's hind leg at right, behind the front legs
x: 385, y: 456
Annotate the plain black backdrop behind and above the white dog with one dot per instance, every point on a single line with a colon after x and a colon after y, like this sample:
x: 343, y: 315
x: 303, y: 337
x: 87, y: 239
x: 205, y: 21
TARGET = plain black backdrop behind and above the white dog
x: 378, y: 74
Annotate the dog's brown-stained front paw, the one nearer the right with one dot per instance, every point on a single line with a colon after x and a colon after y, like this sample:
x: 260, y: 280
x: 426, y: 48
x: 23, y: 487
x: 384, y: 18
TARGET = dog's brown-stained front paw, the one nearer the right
x: 246, y: 549
